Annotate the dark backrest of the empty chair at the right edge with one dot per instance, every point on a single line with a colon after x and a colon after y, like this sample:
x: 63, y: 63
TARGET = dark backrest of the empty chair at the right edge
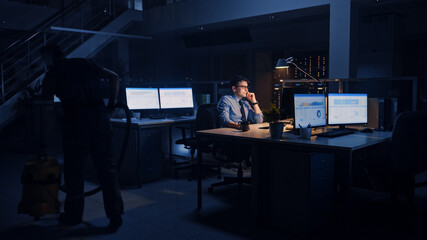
x: 409, y: 143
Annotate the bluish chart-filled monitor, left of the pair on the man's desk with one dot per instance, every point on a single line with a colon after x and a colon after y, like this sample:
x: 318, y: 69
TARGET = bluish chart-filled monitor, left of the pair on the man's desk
x: 310, y: 110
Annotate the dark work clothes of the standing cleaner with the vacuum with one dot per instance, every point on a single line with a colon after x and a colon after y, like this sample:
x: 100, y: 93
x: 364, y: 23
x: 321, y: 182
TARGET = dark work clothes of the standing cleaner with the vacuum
x: 86, y: 130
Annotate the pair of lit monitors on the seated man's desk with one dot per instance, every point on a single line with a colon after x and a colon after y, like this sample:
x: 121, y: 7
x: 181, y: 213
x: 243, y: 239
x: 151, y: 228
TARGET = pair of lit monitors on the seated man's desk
x: 341, y: 109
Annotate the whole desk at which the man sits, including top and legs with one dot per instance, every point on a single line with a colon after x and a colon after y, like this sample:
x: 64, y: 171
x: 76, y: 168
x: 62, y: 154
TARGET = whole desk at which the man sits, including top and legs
x: 305, y: 157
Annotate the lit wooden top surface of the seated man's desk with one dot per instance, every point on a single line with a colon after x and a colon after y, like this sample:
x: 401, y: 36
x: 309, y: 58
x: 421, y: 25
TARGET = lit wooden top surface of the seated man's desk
x: 348, y: 142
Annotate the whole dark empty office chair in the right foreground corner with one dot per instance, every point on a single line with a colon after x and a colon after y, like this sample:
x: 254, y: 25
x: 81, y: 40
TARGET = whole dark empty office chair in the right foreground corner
x: 395, y: 173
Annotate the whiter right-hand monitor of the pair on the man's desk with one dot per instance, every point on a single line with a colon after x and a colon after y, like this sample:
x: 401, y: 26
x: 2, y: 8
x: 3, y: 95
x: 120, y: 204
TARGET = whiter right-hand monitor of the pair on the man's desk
x: 347, y: 108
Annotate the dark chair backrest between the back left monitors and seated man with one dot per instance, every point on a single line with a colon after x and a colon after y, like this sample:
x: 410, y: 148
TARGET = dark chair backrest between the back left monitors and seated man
x: 206, y: 117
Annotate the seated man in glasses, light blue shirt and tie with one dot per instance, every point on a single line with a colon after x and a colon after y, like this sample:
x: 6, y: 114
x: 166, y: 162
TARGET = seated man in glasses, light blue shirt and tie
x: 230, y: 107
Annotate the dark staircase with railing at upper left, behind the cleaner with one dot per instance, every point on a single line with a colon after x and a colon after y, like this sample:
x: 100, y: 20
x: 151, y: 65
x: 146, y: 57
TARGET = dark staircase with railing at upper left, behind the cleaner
x: 20, y: 63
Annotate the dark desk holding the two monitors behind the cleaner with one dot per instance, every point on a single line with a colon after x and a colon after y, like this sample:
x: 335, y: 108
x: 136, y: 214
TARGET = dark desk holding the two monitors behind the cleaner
x: 143, y: 157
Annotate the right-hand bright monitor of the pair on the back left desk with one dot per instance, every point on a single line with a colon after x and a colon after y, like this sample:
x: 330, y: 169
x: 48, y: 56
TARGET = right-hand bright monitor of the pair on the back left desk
x: 176, y: 98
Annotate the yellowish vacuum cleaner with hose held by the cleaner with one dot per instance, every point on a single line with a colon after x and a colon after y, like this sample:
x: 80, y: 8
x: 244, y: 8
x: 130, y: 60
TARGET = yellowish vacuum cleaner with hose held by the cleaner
x: 41, y: 177
